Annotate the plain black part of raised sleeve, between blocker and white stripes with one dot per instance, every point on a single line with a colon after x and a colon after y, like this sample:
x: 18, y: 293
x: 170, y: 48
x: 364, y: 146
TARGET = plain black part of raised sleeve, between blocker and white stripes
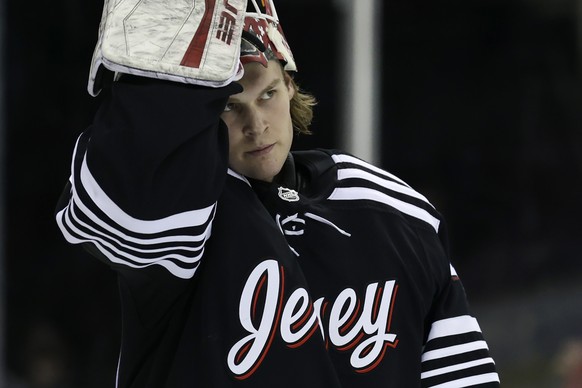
x: 157, y: 147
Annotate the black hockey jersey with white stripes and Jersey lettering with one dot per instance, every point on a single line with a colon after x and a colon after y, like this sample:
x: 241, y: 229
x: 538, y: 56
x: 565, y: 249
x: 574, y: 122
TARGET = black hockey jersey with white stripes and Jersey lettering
x: 226, y: 282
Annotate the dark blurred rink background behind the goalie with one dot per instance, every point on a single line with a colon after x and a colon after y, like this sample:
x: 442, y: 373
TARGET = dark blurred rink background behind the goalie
x: 479, y: 107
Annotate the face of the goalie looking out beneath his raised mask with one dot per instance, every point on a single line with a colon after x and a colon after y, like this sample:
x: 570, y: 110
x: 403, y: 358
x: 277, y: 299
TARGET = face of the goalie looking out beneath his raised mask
x: 260, y: 130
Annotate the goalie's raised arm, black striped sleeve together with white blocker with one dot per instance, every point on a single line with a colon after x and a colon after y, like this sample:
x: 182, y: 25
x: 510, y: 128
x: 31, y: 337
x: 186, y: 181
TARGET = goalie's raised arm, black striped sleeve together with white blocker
x: 146, y: 175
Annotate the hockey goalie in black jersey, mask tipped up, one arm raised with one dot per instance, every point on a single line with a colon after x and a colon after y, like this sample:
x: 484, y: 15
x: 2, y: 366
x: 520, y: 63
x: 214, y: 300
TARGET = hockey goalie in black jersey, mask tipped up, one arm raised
x: 239, y: 263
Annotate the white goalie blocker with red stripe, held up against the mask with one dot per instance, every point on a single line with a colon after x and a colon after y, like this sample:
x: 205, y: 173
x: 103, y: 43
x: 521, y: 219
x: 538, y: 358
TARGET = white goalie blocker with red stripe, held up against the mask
x: 189, y: 41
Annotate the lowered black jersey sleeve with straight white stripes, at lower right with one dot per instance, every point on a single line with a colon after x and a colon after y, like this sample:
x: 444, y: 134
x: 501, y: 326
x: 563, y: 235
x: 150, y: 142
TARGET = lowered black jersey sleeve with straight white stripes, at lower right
x: 455, y: 353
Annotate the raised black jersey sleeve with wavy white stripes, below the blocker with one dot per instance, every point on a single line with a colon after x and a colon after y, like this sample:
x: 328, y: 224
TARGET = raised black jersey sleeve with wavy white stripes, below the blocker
x: 146, y: 176
